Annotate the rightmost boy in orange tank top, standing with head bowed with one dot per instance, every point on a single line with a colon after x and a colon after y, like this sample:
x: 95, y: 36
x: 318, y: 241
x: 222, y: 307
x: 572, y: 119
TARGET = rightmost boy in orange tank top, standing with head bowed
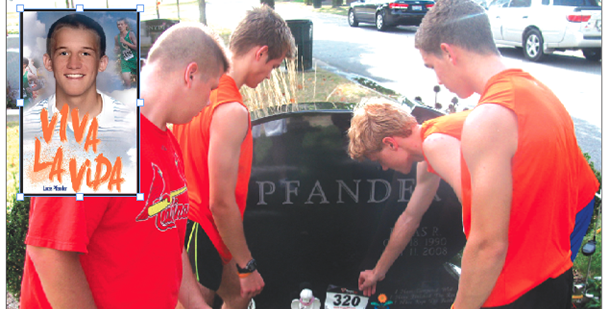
x: 523, y: 176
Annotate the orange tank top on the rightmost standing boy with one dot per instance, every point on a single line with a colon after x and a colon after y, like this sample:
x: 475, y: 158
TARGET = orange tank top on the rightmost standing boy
x: 550, y: 183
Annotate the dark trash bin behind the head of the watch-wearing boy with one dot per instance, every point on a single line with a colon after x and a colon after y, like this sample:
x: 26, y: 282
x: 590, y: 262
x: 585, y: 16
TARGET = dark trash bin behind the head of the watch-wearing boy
x: 302, y: 31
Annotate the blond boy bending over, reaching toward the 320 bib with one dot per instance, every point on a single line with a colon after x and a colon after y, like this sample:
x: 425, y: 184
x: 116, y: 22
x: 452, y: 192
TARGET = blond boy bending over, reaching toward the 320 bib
x: 388, y: 134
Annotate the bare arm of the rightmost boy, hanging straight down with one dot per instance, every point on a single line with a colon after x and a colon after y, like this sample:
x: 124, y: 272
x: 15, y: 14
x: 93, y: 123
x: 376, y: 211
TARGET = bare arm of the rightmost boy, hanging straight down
x: 489, y: 142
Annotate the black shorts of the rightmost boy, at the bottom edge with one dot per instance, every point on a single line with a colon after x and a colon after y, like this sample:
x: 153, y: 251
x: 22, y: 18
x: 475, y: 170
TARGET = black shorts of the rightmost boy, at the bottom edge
x: 551, y: 294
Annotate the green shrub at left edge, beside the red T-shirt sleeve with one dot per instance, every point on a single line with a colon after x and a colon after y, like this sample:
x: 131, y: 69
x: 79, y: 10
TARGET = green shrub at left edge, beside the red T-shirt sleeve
x: 16, y: 228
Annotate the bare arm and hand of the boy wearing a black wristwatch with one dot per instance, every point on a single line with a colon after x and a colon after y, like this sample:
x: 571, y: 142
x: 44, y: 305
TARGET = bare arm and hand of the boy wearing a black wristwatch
x: 227, y: 131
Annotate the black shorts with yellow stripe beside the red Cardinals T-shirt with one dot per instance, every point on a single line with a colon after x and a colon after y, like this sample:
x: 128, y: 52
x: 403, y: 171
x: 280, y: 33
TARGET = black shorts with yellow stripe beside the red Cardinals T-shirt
x: 205, y: 260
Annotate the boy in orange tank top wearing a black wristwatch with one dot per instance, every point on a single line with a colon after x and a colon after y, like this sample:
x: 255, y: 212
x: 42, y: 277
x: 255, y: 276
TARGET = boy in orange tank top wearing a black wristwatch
x: 217, y: 148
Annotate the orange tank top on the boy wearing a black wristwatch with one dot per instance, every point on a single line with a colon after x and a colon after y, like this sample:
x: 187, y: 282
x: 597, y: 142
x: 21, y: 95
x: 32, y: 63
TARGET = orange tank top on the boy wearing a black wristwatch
x: 194, y: 140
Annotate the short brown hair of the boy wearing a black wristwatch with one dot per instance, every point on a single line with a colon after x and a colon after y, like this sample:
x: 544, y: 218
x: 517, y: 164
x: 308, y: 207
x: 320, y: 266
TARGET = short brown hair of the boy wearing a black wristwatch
x: 262, y: 26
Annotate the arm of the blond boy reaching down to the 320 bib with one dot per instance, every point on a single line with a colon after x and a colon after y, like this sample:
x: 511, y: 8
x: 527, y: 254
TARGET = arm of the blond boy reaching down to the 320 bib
x: 405, y: 227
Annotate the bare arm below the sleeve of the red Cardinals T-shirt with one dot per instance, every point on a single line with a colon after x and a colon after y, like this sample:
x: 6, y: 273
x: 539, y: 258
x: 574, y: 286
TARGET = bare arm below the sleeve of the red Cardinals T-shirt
x: 62, y: 277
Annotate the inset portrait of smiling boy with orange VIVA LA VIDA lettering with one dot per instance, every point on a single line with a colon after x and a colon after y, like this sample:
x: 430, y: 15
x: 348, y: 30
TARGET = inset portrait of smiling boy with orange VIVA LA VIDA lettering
x: 79, y: 118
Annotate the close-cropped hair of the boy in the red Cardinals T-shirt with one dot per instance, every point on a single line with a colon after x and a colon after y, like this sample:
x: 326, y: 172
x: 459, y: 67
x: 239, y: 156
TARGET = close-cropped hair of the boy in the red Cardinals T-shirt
x: 188, y: 42
